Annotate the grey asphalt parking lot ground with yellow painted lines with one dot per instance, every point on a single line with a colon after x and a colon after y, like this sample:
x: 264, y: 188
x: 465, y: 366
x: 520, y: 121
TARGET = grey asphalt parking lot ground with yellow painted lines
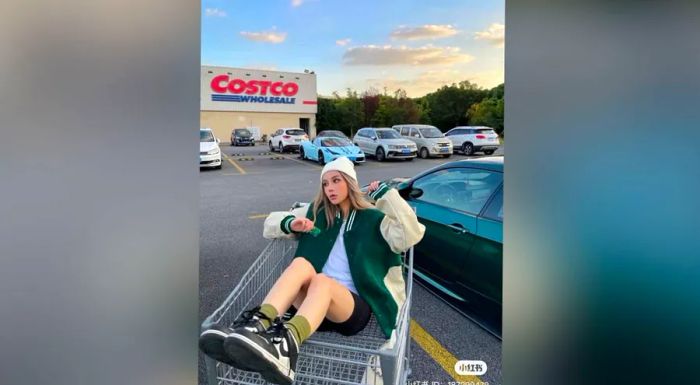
x: 234, y: 202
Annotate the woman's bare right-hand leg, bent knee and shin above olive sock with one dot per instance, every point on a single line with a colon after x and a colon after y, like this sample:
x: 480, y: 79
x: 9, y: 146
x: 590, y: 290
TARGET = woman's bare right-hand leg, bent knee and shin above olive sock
x: 326, y: 298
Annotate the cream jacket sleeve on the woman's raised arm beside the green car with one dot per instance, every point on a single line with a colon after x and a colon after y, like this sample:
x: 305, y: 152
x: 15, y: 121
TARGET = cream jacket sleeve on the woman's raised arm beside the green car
x: 400, y: 227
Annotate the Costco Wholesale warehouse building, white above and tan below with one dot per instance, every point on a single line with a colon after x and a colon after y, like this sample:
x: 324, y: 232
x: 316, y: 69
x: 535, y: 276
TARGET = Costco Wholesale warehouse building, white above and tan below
x: 237, y: 98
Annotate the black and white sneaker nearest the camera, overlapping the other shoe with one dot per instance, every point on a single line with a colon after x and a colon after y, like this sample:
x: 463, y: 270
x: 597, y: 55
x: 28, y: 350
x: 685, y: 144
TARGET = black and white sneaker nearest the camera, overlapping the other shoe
x: 273, y: 354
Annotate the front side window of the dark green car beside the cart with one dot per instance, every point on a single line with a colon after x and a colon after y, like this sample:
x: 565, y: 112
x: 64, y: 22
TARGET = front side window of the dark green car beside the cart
x: 464, y: 189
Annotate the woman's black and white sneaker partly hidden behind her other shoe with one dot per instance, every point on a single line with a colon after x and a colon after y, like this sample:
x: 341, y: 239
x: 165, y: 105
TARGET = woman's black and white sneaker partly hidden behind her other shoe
x: 211, y: 341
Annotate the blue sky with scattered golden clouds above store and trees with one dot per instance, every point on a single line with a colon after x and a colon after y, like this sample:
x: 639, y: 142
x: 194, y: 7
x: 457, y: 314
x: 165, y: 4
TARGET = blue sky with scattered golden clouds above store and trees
x: 417, y: 46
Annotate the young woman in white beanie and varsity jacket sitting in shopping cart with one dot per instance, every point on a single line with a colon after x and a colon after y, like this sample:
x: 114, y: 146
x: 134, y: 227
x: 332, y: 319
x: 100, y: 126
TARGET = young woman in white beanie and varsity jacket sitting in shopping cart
x: 340, y: 275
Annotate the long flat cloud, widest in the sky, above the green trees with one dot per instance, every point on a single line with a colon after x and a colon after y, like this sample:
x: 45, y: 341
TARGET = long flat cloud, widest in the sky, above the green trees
x: 402, y: 55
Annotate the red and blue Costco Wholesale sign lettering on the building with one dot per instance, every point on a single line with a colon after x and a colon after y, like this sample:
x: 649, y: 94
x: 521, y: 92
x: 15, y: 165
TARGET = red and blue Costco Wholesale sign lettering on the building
x: 252, y: 91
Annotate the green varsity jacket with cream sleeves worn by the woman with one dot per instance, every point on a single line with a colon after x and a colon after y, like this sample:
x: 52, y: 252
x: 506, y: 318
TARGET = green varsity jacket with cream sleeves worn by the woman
x: 374, y: 239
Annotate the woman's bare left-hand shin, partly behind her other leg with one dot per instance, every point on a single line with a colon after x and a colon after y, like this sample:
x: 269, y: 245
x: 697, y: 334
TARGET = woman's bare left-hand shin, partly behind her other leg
x: 298, y: 274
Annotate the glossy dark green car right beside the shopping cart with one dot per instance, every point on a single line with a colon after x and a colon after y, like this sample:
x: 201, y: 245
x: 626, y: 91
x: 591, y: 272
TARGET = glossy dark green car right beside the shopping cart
x: 460, y: 258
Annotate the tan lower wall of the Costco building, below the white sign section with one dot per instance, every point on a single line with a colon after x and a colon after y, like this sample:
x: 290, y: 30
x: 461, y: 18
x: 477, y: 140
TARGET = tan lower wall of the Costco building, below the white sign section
x: 222, y: 122
